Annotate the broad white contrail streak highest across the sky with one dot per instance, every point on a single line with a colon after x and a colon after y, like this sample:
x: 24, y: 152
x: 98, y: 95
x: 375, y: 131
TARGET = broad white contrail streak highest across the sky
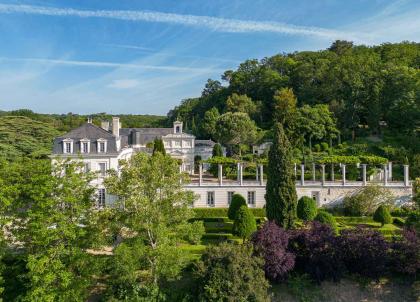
x: 213, y: 23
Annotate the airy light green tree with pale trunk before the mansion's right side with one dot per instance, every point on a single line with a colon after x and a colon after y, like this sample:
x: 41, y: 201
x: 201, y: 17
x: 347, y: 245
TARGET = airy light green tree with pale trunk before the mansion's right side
x: 152, y: 215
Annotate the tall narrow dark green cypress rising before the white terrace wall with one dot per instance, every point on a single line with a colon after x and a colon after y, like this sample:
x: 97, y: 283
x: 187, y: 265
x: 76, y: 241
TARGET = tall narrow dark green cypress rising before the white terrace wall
x: 281, y: 198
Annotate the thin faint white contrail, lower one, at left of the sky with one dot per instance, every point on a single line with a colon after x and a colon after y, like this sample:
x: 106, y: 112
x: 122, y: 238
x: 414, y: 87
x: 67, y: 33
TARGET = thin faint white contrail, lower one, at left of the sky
x: 109, y: 64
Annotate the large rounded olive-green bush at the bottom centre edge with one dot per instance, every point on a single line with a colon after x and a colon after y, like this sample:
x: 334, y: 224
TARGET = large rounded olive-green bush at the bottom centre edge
x: 230, y: 272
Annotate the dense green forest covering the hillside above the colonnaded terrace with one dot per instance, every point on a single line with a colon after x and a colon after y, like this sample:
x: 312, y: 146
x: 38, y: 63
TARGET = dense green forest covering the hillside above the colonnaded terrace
x: 365, y: 97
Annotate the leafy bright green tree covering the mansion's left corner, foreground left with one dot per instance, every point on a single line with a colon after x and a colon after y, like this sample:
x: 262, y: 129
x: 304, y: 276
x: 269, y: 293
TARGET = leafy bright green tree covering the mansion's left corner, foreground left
x: 54, y: 213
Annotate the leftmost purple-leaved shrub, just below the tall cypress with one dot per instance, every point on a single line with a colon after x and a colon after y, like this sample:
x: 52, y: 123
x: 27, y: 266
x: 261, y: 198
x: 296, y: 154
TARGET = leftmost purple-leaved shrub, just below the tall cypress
x: 271, y: 242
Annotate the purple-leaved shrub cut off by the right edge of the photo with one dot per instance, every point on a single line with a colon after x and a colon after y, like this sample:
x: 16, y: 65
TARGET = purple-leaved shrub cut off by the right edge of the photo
x: 405, y: 253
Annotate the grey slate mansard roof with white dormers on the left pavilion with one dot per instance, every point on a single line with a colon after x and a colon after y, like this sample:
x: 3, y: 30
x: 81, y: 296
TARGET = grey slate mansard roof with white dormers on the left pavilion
x: 89, y: 131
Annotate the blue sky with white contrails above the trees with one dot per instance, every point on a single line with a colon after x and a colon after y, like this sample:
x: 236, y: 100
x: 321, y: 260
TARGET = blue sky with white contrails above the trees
x: 144, y: 57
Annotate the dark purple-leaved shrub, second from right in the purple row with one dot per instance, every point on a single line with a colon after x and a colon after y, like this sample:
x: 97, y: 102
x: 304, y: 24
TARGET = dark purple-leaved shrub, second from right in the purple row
x: 364, y: 251
